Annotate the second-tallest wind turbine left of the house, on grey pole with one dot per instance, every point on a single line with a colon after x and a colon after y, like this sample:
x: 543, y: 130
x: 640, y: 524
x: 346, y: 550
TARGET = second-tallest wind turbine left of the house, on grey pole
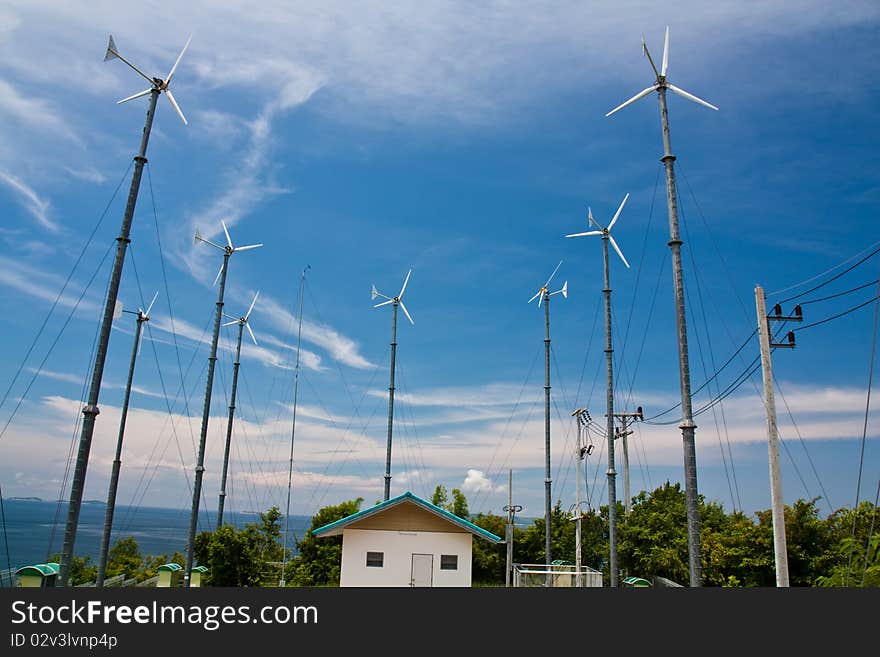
x: 227, y: 250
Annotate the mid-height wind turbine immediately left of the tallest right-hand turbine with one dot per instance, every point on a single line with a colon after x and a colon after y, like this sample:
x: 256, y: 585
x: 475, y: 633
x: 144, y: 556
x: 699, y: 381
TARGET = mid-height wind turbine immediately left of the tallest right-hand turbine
x: 605, y: 233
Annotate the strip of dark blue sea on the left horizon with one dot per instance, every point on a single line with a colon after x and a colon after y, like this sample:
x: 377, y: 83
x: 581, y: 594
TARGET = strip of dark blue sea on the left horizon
x: 35, y: 529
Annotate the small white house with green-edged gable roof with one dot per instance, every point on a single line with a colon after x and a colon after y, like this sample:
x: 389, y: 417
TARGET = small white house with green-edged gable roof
x: 405, y: 541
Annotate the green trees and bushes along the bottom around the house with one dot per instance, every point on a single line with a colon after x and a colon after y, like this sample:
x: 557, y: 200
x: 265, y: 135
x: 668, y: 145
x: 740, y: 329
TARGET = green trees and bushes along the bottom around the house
x: 737, y: 549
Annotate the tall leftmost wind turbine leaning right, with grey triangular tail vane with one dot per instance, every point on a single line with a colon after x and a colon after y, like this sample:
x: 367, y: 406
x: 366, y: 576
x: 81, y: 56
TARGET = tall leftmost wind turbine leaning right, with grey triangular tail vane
x: 91, y: 410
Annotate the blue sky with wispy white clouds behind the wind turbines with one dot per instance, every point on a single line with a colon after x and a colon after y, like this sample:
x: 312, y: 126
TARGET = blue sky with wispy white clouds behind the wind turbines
x: 462, y: 143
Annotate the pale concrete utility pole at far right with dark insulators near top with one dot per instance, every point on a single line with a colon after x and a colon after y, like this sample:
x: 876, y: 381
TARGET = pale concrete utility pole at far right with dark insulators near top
x: 780, y: 550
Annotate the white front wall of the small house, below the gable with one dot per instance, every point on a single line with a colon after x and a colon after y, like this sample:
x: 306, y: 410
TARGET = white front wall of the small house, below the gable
x: 398, y: 548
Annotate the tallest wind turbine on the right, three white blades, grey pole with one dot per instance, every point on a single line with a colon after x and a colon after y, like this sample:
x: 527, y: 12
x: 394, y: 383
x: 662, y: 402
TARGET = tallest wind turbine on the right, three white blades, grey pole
x: 687, y: 422
